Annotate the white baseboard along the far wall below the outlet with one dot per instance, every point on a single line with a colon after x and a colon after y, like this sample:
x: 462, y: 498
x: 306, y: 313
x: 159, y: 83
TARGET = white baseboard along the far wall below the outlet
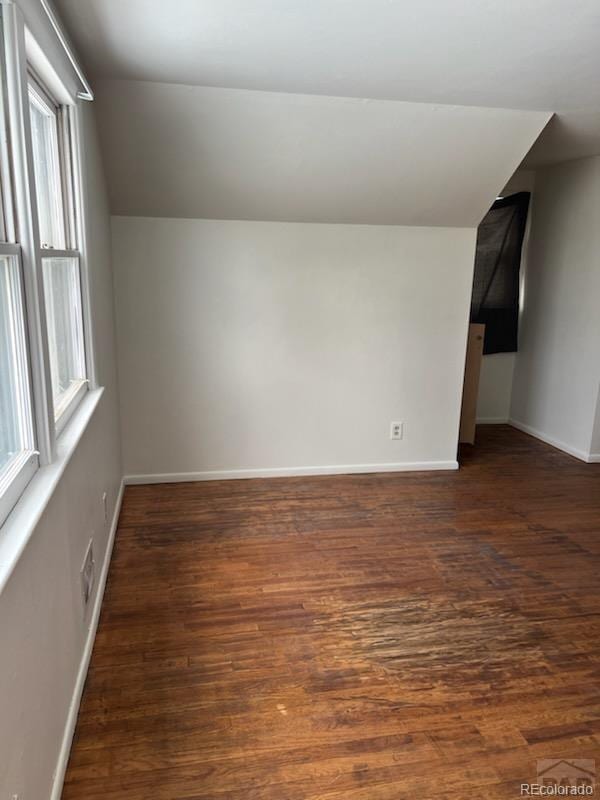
x: 286, y: 472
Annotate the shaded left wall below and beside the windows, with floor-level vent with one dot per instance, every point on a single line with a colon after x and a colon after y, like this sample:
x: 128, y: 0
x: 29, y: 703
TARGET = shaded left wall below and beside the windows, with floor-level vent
x: 42, y: 627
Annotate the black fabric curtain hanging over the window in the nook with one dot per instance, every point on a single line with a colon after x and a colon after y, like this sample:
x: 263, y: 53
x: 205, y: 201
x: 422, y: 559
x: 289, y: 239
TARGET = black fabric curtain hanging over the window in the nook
x: 495, y: 300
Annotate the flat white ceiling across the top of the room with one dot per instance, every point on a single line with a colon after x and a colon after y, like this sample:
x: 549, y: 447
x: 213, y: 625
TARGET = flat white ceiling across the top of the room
x: 532, y: 54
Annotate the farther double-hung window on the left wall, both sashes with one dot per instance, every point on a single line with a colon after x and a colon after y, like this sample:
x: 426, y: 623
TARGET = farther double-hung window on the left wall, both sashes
x: 52, y: 159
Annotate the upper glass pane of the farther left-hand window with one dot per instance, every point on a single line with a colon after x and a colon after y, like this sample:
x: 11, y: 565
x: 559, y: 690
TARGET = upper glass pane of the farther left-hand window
x: 46, y: 164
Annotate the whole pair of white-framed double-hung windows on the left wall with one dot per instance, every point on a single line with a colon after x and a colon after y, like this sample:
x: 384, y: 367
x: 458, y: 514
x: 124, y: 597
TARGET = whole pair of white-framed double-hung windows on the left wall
x: 44, y: 365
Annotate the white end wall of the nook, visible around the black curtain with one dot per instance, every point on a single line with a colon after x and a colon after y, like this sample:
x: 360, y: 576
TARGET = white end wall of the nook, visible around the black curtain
x: 497, y: 369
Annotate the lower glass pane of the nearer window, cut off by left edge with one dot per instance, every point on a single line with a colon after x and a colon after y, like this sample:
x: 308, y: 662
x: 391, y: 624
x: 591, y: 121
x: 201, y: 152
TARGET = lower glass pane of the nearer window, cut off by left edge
x: 16, y: 435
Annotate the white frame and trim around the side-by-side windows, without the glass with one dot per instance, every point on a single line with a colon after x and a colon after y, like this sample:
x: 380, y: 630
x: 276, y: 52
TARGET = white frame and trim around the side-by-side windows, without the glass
x: 22, y: 59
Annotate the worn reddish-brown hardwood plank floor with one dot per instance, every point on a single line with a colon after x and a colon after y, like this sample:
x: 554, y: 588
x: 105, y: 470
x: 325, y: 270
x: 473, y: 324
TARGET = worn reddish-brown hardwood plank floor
x: 373, y: 637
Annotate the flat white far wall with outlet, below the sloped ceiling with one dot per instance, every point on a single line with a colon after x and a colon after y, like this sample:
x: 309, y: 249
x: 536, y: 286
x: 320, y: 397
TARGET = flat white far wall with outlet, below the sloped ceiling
x: 259, y: 345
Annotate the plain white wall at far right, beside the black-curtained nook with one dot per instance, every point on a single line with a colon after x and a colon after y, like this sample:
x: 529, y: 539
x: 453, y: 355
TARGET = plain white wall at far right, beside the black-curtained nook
x: 557, y: 371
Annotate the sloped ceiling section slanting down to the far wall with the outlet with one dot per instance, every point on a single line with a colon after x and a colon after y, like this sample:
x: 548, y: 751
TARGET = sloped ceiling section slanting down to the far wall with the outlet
x: 184, y: 151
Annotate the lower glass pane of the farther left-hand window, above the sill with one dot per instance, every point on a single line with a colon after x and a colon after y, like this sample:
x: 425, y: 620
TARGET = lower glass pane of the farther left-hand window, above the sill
x: 62, y: 291
